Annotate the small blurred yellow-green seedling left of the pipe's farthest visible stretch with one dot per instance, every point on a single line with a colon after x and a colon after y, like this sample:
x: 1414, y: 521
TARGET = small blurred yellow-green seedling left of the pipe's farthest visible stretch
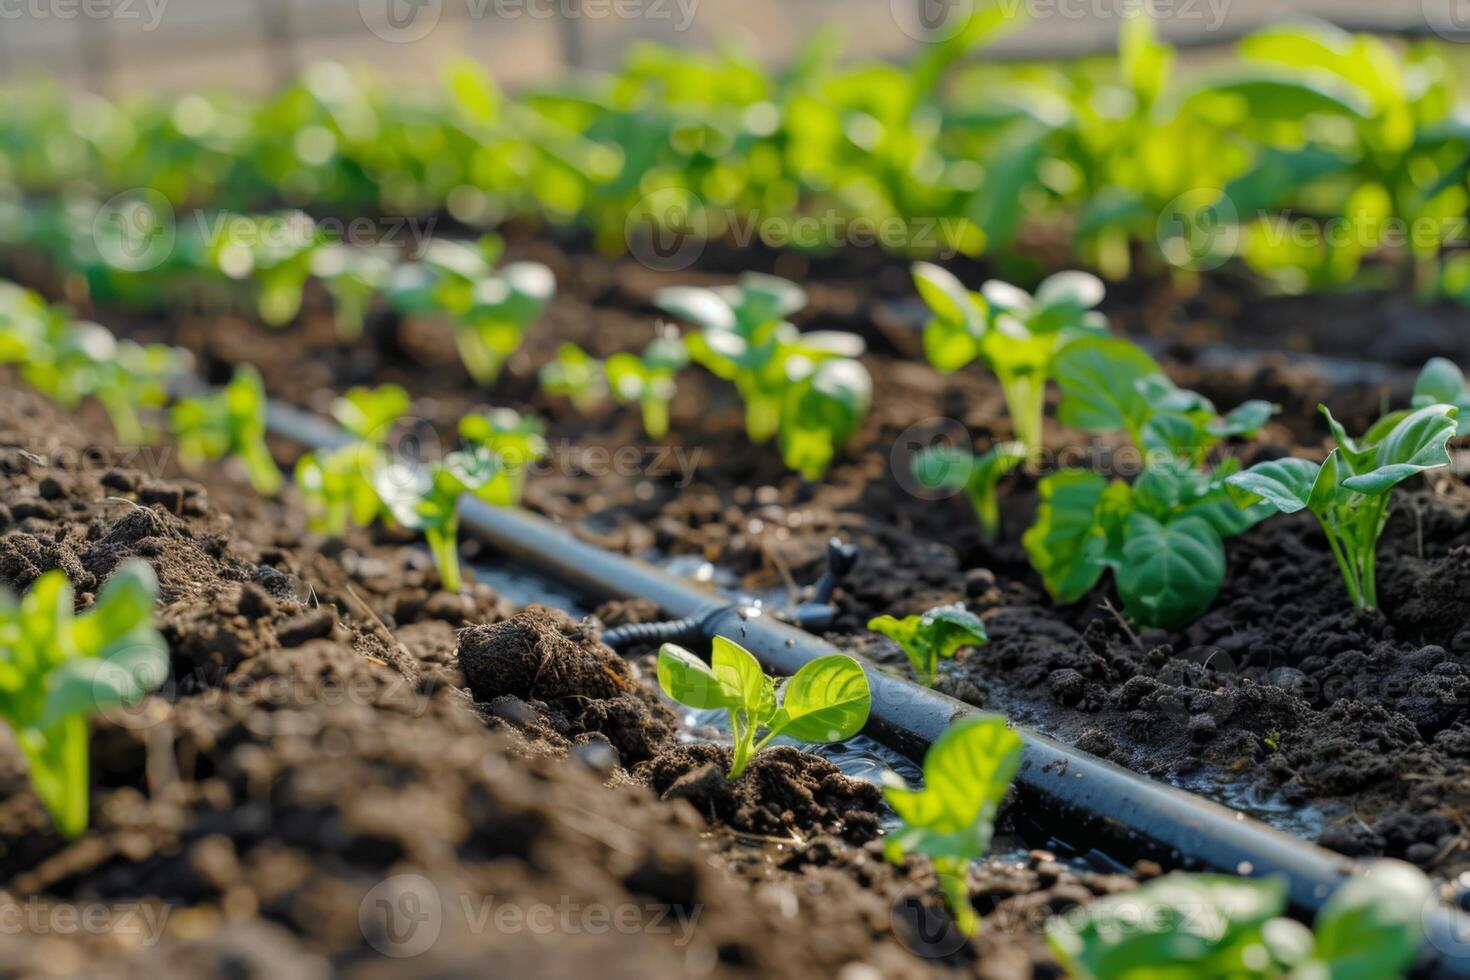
x: 232, y: 422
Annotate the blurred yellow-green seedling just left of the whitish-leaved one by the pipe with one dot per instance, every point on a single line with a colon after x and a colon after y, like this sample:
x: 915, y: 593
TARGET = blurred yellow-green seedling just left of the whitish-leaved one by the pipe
x: 337, y: 486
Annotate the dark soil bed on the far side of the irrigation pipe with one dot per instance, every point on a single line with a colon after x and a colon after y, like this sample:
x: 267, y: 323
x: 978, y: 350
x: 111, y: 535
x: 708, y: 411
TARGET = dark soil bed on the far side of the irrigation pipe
x: 1347, y: 728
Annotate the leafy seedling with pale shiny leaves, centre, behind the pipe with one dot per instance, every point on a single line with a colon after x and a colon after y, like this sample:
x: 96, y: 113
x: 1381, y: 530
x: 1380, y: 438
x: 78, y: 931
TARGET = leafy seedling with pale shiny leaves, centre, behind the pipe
x: 808, y: 389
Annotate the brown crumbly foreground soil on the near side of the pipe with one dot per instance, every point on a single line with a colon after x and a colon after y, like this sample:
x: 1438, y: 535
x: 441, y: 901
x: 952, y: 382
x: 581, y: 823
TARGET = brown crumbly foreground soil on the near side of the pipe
x: 317, y: 782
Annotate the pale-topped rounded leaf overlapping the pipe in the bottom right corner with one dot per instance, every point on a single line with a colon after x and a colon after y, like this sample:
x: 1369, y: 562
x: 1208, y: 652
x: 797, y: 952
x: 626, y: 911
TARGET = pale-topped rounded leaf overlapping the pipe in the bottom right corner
x: 1372, y: 925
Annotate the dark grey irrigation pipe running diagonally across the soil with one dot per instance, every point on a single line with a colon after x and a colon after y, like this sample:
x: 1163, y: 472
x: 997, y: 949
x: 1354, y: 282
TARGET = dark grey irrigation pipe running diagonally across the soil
x: 1059, y: 787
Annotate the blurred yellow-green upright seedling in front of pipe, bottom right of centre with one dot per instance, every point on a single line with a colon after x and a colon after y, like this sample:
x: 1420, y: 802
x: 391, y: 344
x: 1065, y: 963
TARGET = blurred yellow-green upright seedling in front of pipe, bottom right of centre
x: 967, y: 774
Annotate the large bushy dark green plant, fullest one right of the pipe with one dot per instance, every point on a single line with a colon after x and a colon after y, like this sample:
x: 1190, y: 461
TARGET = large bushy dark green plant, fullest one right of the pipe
x: 1165, y: 534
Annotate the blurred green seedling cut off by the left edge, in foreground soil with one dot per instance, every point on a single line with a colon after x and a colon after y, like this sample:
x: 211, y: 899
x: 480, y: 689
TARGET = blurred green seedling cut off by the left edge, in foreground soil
x: 60, y: 669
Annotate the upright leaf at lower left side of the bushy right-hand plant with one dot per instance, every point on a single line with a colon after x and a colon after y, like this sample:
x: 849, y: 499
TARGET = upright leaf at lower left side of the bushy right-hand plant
x: 1068, y: 544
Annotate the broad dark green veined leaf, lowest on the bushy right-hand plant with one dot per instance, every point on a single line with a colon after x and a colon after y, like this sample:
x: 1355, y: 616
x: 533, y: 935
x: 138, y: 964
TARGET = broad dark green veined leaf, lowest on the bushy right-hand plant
x: 1171, y: 574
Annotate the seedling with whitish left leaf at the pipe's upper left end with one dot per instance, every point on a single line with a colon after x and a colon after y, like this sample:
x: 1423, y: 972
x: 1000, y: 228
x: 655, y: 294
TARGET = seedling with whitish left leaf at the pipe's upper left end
x: 426, y: 497
